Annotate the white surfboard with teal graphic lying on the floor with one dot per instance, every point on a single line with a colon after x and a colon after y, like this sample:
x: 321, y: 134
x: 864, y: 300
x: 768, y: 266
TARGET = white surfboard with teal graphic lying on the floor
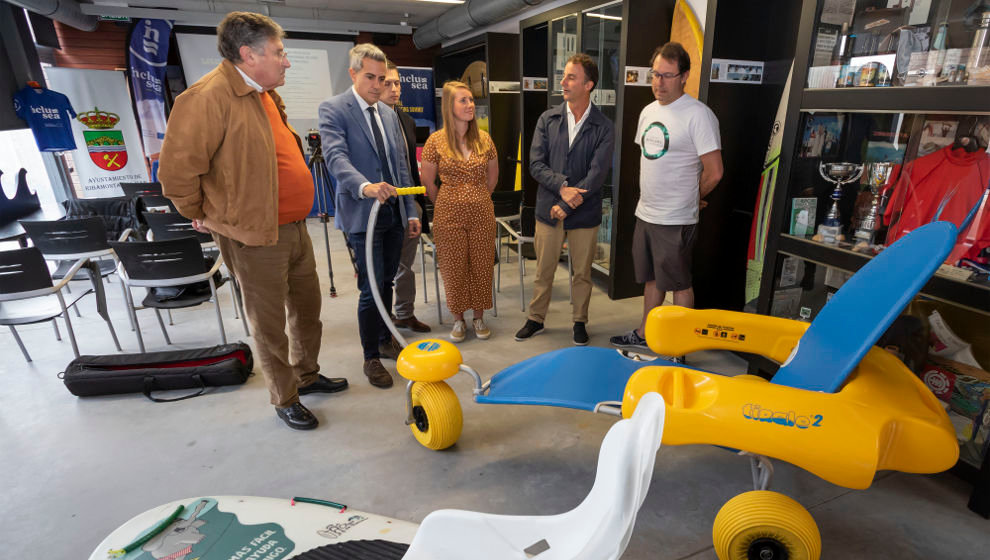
x: 253, y: 528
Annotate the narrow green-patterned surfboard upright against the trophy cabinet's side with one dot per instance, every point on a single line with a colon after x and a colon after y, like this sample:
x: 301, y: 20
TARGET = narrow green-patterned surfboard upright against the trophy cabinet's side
x: 764, y: 199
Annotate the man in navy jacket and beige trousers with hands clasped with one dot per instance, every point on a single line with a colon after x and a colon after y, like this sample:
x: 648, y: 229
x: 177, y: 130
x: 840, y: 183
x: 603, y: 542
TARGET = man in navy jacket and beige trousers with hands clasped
x: 570, y: 156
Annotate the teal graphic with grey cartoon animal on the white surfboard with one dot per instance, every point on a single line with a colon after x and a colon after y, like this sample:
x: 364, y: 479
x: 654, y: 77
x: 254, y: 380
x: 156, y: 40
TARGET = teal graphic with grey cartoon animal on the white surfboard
x: 203, y: 532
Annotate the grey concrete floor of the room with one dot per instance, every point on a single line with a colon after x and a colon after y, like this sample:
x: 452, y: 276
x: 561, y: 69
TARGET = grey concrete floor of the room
x: 76, y: 468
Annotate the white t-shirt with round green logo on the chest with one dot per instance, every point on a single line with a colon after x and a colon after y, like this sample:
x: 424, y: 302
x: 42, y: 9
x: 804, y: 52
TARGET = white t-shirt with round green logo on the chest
x: 671, y: 139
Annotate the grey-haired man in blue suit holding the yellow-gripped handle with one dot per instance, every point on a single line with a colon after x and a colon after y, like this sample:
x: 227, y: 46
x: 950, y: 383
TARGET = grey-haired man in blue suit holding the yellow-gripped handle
x: 362, y: 144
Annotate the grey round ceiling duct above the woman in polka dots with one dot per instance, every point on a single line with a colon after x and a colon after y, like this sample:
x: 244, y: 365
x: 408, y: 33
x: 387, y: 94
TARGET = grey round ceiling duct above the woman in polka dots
x: 466, y: 17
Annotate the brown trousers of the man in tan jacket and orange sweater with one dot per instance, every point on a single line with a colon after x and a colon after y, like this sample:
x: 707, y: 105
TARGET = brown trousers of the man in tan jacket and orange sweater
x: 280, y: 285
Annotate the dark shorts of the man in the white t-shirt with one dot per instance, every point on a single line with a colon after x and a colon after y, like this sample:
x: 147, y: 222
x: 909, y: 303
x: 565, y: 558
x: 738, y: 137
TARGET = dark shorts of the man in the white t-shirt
x: 663, y: 253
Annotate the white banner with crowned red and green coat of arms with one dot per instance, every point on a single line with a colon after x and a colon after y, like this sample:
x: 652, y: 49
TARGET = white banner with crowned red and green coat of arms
x: 104, y: 126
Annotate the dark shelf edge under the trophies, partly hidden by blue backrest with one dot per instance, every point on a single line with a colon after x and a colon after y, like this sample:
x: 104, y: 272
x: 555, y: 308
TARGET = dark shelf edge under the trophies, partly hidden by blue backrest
x: 970, y: 295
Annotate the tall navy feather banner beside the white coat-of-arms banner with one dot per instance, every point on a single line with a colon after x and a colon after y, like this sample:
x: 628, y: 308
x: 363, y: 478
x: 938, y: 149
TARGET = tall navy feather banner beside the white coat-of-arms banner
x: 147, y: 57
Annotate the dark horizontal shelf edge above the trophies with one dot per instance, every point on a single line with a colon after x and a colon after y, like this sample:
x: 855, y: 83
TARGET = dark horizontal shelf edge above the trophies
x: 945, y: 99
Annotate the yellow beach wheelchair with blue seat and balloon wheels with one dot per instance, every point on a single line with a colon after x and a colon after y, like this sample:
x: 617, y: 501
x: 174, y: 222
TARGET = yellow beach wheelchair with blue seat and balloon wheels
x: 838, y: 406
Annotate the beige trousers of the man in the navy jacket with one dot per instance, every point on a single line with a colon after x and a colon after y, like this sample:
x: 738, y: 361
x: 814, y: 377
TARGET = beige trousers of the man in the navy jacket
x: 548, y: 242
